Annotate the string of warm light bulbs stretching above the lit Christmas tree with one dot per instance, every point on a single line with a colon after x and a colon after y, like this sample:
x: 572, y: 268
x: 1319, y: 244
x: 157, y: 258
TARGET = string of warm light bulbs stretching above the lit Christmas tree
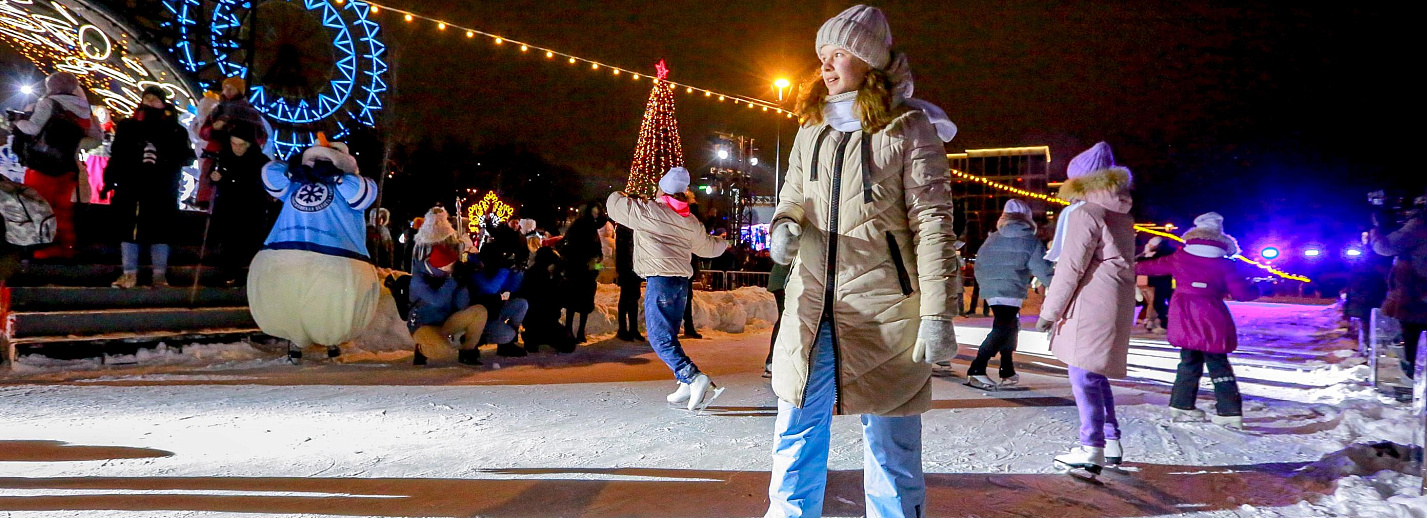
x: 576, y: 61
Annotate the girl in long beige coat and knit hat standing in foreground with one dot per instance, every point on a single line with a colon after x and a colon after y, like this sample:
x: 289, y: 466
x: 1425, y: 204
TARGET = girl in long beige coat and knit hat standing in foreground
x: 865, y: 220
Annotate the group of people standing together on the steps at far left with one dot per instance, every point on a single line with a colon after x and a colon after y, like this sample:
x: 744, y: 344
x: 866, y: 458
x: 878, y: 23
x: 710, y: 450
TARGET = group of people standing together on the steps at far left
x: 141, y: 158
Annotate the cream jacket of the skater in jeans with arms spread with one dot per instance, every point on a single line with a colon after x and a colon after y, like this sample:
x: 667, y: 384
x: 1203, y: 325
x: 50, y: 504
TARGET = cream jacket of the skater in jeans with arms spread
x: 663, y: 239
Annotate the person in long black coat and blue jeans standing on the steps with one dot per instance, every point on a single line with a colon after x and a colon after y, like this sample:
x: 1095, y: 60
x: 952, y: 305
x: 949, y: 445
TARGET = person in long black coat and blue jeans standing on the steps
x: 143, y: 176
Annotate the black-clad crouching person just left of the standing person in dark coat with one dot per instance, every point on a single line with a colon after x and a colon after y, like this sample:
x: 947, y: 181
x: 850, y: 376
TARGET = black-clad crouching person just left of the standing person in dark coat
x: 544, y: 292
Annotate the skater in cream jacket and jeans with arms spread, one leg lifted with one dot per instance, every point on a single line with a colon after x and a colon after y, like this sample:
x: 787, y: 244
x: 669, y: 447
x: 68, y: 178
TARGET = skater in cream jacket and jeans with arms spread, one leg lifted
x: 666, y: 235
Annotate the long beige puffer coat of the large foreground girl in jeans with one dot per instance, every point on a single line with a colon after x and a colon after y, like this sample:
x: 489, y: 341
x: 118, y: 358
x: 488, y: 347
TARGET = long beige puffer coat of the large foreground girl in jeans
x: 877, y: 246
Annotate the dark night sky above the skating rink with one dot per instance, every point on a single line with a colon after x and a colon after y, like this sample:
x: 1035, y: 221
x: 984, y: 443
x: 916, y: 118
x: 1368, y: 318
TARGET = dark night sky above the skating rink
x: 1275, y: 116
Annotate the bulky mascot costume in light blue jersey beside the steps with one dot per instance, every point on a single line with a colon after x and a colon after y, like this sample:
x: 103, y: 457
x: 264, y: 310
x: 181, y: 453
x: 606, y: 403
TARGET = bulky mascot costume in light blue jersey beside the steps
x: 313, y: 282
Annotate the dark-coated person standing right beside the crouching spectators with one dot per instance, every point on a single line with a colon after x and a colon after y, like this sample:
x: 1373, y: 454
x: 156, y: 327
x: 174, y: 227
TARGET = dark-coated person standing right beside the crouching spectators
x: 583, y: 253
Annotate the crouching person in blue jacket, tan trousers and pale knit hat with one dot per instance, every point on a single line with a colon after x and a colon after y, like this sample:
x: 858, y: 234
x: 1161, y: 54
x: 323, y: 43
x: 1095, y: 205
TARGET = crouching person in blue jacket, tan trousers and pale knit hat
x: 442, y: 310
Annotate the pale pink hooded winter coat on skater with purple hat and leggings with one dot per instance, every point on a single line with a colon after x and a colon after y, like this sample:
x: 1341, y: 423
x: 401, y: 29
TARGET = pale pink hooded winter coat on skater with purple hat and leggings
x: 1091, y: 299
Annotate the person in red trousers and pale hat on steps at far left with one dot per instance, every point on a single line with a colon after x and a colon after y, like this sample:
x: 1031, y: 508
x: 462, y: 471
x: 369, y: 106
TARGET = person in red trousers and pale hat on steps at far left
x: 56, y: 129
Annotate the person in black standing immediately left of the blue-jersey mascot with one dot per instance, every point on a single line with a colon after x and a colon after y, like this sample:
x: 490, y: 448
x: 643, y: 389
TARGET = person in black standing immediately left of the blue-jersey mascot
x: 242, y: 210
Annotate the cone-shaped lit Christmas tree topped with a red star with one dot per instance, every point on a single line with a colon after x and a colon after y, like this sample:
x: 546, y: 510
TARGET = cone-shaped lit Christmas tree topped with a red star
x: 659, y: 149
